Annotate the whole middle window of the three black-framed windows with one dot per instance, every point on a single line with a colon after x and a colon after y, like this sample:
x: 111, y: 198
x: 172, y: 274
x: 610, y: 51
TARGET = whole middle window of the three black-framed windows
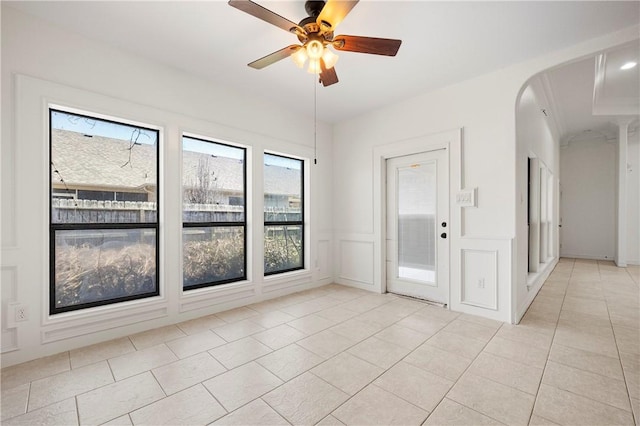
x: 213, y: 213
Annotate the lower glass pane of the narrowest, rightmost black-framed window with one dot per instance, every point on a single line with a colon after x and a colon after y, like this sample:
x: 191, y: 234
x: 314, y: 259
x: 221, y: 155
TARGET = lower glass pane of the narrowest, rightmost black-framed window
x: 282, y: 248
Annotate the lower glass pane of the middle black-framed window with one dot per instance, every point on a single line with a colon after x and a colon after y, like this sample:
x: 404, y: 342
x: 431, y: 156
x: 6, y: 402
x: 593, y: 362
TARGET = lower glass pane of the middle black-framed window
x: 213, y: 254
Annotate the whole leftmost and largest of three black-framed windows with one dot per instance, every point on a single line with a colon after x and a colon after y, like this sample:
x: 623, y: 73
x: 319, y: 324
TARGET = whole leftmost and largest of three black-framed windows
x: 103, y: 204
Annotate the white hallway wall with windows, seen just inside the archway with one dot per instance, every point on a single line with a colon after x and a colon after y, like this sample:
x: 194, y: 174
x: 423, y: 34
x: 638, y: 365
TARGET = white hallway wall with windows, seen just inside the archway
x: 536, y: 138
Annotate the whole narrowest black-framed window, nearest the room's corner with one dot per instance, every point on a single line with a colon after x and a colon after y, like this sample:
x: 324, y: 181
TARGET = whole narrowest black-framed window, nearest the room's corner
x: 283, y: 214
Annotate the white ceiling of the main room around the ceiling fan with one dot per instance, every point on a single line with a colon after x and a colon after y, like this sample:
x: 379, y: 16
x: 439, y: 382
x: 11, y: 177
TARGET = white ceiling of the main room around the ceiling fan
x: 443, y: 42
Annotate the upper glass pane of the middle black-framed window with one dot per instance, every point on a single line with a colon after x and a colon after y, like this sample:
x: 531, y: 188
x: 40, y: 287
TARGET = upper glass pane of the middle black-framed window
x: 212, y: 181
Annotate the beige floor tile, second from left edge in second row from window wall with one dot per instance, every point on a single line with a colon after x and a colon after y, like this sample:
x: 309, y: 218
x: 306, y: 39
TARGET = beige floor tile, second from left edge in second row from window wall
x: 68, y: 384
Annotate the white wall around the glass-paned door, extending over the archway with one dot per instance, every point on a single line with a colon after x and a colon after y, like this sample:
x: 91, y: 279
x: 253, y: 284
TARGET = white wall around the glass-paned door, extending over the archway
x: 484, y: 109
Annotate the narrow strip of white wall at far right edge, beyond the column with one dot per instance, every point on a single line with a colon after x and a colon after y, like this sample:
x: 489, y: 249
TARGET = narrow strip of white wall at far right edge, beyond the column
x: 633, y: 199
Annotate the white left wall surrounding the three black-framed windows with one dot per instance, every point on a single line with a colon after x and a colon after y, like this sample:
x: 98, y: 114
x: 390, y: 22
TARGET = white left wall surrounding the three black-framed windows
x: 42, y: 64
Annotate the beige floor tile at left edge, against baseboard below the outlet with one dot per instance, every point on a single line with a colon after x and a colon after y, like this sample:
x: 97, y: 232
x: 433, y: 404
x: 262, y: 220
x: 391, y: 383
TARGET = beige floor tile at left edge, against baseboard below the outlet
x: 20, y: 374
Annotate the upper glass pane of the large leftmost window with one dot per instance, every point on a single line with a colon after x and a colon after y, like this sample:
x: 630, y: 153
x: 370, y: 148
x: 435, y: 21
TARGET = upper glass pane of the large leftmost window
x: 101, y: 171
